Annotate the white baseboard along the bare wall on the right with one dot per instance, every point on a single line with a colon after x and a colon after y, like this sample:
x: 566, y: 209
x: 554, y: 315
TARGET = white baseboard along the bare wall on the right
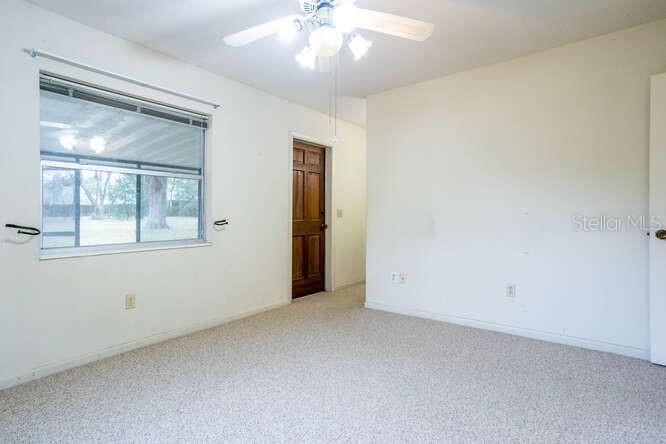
x: 590, y: 344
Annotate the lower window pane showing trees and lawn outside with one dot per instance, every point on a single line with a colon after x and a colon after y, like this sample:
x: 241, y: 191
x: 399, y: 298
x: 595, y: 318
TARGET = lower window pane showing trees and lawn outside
x: 108, y: 208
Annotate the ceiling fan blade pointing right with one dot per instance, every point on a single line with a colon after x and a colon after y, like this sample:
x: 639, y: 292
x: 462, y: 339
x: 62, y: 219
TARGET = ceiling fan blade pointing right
x: 394, y: 25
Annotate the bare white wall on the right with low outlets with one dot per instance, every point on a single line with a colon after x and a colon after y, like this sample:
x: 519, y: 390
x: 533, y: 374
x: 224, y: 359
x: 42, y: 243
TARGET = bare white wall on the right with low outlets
x: 473, y: 179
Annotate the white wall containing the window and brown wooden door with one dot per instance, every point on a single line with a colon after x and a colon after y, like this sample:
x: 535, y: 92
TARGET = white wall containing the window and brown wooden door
x: 55, y: 313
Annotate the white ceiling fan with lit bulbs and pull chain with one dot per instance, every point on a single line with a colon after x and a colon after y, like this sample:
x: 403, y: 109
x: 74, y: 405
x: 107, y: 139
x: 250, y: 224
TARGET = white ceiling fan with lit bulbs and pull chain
x: 329, y: 23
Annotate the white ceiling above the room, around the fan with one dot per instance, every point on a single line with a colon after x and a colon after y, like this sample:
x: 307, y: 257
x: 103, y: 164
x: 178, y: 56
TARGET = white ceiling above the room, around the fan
x: 469, y: 33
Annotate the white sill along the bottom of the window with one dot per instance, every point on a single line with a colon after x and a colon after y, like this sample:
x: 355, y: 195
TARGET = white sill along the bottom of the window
x: 63, y: 253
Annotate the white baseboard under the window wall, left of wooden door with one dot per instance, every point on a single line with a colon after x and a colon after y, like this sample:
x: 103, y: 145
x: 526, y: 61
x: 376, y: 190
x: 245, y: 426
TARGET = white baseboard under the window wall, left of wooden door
x: 49, y: 369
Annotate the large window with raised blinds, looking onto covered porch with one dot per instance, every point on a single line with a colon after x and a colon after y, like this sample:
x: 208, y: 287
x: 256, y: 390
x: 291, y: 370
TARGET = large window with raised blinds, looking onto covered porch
x: 117, y: 170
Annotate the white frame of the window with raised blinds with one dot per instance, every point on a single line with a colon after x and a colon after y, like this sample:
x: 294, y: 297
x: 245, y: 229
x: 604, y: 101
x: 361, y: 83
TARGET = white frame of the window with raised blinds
x: 141, y: 246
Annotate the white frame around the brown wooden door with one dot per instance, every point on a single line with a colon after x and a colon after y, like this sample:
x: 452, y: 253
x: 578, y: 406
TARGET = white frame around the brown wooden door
x: 329, y: 235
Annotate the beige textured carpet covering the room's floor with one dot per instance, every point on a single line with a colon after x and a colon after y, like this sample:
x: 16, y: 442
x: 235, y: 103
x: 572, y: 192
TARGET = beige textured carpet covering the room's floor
x: 327, y: 370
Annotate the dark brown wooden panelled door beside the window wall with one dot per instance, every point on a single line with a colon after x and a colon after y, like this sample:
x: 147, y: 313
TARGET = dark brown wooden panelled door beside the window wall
x: 309, y: 216
